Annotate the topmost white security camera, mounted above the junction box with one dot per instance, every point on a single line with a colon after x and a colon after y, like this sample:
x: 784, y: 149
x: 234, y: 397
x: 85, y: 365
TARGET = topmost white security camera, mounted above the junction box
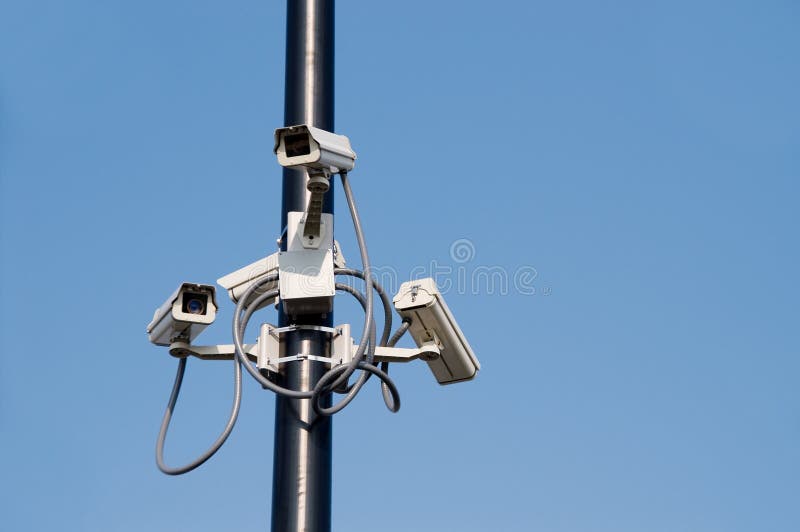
x: 314, y: 149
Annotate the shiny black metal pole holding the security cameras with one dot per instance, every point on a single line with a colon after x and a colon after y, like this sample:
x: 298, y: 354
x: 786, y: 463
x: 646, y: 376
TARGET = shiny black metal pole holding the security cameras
x: 301, y: 485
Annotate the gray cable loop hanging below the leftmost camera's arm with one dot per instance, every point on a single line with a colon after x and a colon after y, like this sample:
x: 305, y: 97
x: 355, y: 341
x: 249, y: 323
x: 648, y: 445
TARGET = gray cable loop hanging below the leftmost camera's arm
x: 173, y: 399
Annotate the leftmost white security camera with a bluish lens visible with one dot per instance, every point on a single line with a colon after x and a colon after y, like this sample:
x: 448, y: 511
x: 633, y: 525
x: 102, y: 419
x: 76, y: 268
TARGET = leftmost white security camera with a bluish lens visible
x: 184, y: 315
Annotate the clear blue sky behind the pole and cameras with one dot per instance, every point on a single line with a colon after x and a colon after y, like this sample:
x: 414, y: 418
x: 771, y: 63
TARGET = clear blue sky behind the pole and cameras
x: 637, y: 162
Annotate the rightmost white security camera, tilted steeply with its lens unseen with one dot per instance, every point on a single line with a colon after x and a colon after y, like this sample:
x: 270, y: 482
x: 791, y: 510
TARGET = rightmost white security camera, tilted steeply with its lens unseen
x: 433, y: 323
